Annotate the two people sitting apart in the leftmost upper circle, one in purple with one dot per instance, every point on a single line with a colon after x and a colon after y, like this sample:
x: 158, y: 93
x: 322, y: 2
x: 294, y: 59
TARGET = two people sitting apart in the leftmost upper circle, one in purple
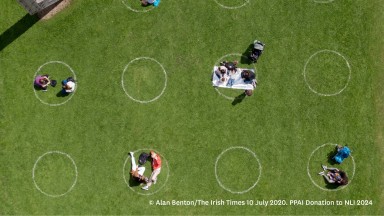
x: 43, y: 81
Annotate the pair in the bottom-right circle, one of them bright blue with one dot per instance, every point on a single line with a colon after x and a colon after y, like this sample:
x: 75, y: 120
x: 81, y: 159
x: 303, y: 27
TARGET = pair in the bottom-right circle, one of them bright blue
x: 334, y: 175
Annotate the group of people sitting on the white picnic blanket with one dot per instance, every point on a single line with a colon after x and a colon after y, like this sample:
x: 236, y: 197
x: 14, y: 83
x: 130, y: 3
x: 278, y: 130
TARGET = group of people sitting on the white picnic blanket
x: 227, y: 72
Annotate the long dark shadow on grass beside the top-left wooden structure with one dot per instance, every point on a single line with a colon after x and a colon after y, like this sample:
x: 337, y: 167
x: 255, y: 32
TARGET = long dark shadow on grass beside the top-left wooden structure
x: 17, y: 29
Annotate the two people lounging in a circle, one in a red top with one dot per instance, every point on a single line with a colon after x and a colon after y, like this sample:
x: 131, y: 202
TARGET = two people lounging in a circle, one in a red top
x: 137, y: 170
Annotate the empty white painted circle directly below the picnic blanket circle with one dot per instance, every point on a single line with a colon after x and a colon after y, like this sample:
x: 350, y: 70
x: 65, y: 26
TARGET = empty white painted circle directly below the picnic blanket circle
x: 237, y: 148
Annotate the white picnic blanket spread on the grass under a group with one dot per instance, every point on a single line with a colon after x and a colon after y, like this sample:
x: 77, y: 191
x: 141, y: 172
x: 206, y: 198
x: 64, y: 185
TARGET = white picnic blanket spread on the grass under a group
x: 238, y: 82
